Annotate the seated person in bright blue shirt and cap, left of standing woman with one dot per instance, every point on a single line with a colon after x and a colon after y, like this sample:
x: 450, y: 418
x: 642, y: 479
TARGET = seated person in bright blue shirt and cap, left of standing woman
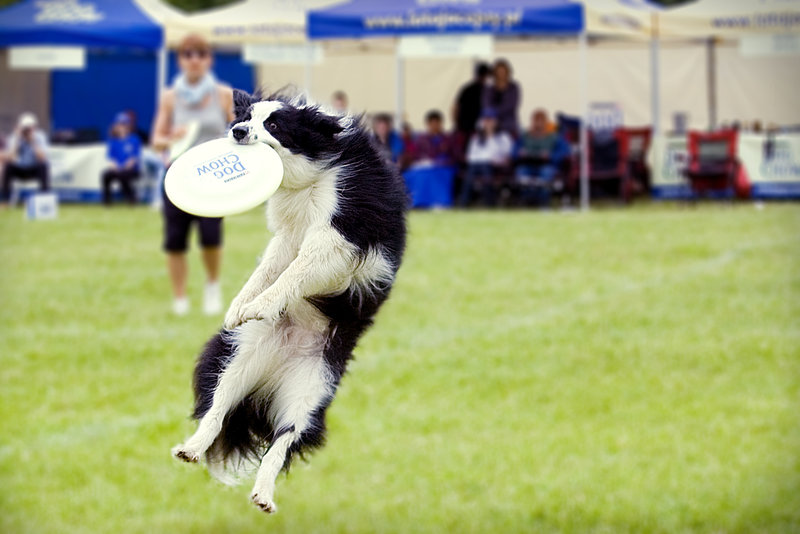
x: 124, y: 152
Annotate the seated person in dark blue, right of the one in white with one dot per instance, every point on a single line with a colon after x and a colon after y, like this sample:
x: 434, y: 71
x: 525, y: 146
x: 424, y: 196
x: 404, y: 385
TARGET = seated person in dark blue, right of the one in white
x: 538, y: 153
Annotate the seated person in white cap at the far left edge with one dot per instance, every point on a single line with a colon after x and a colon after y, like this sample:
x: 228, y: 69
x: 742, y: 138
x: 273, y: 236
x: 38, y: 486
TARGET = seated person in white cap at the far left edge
x: 26, y: 156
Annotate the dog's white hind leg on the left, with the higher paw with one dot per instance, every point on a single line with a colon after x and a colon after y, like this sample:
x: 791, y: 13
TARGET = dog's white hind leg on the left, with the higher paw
x: 242, y: 375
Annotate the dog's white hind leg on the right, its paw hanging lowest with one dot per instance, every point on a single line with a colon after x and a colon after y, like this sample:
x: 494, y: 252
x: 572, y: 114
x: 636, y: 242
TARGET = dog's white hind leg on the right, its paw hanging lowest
x: 298, y: 404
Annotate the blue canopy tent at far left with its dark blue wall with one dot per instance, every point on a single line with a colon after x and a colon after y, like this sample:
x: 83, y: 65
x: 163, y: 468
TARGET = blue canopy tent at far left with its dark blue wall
x: 118, y: 26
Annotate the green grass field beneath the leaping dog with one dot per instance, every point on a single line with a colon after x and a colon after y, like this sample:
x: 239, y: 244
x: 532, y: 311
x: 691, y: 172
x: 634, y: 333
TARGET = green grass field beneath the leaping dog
x: 620, y: 371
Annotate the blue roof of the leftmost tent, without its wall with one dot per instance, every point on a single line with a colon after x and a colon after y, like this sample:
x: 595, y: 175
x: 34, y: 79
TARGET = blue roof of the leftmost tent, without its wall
x: 100, y: 23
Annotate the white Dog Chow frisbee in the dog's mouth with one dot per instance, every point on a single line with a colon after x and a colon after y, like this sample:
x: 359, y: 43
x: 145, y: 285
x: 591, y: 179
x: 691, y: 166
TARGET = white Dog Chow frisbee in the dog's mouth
x: 220, y: 177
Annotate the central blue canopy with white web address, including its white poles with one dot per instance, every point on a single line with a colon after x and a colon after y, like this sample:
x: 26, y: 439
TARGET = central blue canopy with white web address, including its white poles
x: 365, y: 18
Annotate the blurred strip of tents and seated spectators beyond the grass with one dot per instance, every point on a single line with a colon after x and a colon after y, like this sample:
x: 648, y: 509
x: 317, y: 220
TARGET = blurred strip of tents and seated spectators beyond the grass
x: 673, y: 99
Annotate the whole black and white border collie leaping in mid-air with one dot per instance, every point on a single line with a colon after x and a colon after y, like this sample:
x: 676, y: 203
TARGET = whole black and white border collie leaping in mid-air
x: 262, y: 385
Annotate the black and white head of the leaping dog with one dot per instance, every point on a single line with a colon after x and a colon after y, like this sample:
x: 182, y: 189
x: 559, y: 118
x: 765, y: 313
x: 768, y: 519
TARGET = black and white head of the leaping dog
x: 289, y: 125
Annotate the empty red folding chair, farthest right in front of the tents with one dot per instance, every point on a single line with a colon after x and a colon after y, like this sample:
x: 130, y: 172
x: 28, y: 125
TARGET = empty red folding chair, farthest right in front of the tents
x: 713, y: 163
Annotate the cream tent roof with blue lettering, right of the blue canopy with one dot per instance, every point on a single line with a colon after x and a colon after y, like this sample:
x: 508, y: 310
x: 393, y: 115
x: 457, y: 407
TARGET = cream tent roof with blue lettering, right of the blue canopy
x: 693, y: 19
